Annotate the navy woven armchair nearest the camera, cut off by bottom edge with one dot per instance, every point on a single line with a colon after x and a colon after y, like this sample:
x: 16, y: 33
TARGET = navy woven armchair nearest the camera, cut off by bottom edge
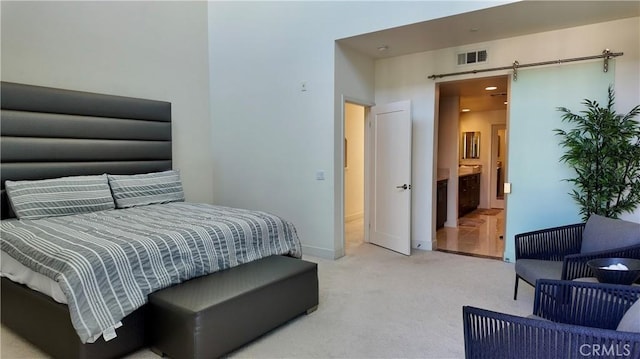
x: 572, y: 320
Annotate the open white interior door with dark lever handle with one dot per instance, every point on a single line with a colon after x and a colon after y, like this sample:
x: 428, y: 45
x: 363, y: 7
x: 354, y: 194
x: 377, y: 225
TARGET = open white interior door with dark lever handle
x: 391, y: 176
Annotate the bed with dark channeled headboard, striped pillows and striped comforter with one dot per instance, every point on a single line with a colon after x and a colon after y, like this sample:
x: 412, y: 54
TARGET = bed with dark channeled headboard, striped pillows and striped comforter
x: 55, y: 137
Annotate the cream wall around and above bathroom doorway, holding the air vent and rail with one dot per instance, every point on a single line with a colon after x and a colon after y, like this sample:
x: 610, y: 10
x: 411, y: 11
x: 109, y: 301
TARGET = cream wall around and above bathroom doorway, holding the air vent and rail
x: 405, y: 77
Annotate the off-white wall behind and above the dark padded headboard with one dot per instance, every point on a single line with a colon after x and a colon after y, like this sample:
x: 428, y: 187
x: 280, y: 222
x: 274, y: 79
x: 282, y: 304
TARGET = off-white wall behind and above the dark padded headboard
x: 154, y: 50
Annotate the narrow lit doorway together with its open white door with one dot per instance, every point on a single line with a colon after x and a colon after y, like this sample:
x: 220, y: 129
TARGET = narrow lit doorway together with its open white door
x: 378, y: 171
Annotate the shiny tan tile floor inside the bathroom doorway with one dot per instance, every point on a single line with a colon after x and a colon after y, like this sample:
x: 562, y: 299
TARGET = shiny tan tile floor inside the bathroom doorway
x: 478, y: 234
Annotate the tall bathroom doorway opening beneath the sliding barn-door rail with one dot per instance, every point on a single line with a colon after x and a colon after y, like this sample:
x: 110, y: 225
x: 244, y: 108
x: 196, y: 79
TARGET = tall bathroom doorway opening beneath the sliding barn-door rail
x: 471, y: 166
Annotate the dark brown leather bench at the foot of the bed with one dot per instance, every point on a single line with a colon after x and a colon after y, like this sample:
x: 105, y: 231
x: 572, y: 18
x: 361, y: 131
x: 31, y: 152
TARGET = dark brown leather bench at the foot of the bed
x: 213, y: 315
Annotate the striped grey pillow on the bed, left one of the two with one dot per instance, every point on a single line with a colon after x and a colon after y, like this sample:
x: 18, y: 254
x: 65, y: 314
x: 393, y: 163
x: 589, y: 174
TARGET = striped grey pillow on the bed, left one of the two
x: 59, y: 197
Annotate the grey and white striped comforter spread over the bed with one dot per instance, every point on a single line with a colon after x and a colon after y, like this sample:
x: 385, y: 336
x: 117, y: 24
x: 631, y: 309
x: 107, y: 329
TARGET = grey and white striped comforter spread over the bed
x: 107, y: 262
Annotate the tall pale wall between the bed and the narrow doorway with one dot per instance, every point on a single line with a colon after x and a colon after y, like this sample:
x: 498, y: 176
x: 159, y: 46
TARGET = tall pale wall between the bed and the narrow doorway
x: 270, y: 138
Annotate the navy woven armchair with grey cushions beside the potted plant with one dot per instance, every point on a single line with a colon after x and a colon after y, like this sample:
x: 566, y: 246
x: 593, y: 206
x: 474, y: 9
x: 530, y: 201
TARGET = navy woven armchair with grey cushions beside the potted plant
x: 563, y: 252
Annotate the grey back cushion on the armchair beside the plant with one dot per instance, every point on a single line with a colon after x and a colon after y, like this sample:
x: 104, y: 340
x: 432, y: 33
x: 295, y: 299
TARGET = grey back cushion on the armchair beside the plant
x: 602, y: 233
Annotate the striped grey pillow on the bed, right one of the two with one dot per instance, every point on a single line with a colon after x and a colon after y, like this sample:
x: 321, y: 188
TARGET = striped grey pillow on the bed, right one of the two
x: 144, y: 189
